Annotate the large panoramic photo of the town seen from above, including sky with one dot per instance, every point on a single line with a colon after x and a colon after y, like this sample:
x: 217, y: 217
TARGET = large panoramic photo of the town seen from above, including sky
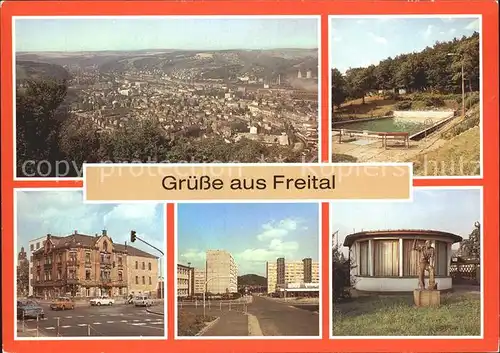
x: 165, y: 90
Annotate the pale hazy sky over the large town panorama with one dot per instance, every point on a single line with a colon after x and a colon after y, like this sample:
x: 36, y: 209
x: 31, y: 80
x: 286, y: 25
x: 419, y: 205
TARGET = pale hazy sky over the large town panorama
x: 87, y: 34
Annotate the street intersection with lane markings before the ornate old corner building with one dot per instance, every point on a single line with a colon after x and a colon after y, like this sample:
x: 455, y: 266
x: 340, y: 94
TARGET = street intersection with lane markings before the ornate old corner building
x: 117, y: 320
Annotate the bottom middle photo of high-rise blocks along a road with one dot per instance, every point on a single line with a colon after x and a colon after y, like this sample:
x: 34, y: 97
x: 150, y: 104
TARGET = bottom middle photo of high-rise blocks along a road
x: 263, y: 282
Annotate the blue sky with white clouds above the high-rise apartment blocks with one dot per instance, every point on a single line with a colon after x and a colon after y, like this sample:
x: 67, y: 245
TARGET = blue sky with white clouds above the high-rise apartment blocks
x: 252, y: 233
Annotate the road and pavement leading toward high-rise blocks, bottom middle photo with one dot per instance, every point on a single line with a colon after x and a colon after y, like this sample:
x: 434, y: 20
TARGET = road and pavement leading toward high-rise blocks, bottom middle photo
x: 262, y: 317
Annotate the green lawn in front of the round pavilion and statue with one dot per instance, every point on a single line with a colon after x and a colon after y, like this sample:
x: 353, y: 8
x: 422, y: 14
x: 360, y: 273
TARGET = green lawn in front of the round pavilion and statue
x: 458, y: 315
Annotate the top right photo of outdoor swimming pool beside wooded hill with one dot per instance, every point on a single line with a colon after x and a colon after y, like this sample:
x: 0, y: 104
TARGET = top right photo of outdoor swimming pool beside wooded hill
x: 407, y: 89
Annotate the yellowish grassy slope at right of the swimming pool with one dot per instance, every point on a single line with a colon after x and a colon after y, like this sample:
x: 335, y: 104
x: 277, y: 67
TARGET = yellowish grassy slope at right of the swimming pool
x: 457, y: 156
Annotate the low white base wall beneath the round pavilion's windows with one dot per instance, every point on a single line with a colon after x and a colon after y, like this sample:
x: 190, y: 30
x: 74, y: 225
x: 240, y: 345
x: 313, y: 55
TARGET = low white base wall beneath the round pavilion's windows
x: 396, y: 284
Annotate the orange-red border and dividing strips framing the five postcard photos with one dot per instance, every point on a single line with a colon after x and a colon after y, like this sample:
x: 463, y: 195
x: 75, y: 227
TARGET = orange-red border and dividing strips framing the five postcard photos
x: 490, y: 181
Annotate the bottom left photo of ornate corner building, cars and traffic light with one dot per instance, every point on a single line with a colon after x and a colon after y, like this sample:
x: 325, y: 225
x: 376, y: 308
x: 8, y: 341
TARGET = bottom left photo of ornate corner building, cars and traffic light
x: 88, y: 270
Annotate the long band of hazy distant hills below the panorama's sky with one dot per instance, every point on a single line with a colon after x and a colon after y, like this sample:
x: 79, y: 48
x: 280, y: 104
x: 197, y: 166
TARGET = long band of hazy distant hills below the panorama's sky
x: 212, y: 64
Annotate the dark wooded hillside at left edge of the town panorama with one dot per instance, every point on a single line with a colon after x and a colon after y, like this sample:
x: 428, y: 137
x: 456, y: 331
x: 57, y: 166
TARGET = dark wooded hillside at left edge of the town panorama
x: 32, y: 70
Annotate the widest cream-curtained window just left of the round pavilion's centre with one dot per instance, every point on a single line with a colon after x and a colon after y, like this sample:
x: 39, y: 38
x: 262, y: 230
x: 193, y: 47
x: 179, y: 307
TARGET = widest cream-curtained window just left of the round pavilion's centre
x: 386, y: 258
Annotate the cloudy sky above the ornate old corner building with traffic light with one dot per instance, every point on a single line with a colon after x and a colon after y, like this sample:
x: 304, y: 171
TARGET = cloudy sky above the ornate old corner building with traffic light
x: 60, y: 213
